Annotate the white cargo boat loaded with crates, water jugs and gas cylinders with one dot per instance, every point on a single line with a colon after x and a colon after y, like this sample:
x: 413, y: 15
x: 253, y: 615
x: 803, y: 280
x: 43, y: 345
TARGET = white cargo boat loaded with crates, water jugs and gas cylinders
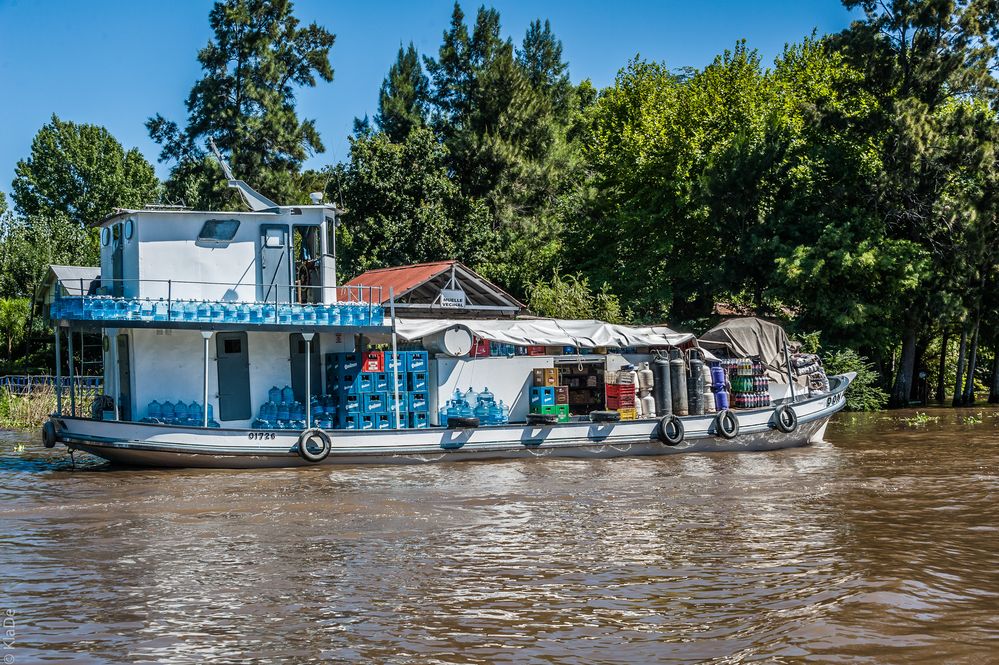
x: 203, y: 315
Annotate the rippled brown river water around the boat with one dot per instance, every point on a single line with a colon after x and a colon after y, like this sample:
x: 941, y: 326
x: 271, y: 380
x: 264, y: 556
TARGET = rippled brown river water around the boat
x: 880, y: 545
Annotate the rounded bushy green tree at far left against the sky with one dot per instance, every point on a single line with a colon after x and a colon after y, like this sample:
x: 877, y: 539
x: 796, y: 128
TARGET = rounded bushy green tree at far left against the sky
x: 82, y: 173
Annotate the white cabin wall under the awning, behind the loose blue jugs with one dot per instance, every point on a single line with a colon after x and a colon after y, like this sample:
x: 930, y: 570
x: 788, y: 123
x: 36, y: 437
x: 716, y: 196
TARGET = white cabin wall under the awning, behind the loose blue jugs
x: 509, y: 379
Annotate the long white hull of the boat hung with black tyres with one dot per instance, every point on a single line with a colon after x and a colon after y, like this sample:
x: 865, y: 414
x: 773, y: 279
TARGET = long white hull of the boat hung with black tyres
x: 140, y: 444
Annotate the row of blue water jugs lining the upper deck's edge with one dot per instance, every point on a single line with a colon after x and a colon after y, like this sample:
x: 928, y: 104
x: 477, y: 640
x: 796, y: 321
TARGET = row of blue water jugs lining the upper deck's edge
x: 107, y: 308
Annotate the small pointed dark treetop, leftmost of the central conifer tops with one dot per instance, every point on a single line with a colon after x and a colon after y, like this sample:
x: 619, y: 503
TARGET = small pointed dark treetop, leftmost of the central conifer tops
x: 403, y: 99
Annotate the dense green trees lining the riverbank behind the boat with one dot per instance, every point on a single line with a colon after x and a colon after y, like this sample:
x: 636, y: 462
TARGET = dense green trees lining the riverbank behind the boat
x: 850, y: 186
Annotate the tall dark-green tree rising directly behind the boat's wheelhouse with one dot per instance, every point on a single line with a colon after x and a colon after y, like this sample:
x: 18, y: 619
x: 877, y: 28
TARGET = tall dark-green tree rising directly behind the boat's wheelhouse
x: 246, y: 103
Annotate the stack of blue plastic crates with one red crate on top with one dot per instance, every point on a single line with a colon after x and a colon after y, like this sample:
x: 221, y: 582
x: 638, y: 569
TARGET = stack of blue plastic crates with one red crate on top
x: 366, y: 399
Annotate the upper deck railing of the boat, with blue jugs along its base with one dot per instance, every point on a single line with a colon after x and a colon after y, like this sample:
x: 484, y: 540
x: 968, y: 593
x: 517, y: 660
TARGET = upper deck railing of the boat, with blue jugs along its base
x: 296, y: 304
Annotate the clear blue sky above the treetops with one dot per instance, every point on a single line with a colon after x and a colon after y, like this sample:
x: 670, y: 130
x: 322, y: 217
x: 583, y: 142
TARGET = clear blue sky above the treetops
x: 115, y: 63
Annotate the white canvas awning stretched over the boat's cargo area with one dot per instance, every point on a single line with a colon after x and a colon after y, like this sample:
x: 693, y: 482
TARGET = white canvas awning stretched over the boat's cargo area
x: 585, y: 334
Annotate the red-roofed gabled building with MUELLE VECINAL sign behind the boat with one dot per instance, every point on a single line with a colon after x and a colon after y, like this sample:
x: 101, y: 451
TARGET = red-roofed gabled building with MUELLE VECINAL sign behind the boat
x: 440, y: 289
